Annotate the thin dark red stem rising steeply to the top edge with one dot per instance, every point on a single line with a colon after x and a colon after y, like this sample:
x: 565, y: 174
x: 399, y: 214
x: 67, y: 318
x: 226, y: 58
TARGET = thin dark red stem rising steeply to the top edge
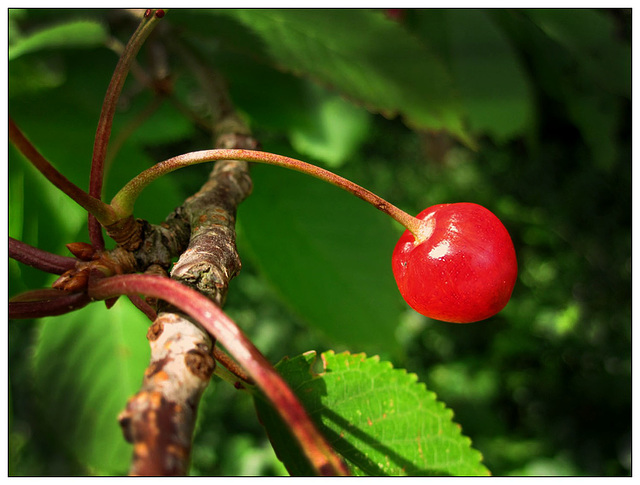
x: 105, y: 123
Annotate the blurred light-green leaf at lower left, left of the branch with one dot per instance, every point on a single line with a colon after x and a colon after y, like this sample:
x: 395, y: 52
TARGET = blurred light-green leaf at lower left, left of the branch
x: 86, y: 365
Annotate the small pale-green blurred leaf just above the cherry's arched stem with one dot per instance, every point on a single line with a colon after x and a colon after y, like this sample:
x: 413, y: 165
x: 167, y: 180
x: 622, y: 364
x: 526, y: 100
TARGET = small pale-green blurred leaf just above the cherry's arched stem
x: 334, y: 130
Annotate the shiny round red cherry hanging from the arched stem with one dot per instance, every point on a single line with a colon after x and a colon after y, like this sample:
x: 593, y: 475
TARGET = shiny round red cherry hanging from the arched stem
x: 463, y: 270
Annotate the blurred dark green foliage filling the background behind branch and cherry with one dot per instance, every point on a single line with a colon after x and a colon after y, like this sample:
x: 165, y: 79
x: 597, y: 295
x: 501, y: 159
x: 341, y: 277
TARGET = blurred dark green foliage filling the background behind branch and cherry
x: 543, y: 388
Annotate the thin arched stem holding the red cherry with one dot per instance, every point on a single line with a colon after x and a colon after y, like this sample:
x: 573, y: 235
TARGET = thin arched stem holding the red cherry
x: 125, y: 199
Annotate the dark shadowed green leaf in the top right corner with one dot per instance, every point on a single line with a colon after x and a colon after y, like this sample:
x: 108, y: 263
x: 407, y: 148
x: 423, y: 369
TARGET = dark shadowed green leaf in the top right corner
x: 595, y: 73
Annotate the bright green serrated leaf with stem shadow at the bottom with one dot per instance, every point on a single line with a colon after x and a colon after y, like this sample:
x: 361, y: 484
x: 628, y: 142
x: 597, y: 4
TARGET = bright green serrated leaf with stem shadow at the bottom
x: 379, y: 419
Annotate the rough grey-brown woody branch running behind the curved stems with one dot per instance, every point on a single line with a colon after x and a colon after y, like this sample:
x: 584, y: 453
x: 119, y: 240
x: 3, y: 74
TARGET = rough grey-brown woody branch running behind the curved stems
x: 160, y: 418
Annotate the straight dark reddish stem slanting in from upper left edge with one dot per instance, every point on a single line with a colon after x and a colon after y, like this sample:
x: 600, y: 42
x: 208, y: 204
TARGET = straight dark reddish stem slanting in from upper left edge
x: 91, y: 204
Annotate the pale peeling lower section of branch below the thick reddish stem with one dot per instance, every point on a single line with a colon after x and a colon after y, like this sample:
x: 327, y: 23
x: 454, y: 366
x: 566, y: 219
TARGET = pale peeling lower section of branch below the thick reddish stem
x: 160, y: 417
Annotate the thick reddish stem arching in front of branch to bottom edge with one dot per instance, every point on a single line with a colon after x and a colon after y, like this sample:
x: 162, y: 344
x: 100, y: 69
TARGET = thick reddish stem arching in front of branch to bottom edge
x: 223, y: 329
